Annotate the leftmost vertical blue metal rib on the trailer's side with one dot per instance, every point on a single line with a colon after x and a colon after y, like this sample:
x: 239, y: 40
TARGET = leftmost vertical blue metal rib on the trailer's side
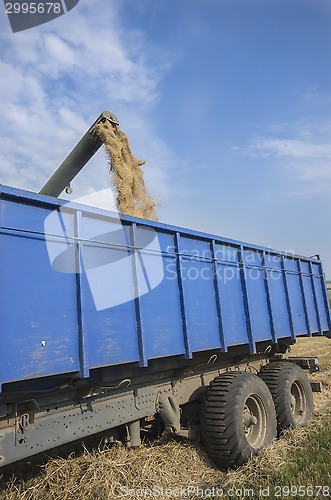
x: 83, y: 351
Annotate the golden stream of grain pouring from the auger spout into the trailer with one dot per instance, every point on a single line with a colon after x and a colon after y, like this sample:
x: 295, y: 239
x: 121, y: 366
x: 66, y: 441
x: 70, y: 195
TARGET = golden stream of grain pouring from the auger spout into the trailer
x: 132, y: 197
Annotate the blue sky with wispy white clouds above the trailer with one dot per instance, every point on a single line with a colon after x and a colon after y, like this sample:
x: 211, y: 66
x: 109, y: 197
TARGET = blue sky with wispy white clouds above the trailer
x: 228, y: 101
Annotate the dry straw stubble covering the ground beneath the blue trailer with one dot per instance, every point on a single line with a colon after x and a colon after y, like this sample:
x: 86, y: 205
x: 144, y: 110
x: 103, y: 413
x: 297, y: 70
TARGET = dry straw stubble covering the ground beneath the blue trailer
x: 112, y: 471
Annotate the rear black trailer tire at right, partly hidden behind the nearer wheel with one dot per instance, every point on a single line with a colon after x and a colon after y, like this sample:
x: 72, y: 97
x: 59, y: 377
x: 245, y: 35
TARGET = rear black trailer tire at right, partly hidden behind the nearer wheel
x: 292, y: 394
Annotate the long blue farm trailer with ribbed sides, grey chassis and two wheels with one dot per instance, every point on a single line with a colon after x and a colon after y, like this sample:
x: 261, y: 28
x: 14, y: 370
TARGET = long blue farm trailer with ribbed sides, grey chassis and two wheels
x: 110, y: 322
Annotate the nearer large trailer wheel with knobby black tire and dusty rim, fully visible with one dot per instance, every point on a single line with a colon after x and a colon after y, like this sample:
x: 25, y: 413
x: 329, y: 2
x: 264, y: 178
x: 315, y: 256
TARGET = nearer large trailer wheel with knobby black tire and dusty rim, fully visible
x: 237, y: 418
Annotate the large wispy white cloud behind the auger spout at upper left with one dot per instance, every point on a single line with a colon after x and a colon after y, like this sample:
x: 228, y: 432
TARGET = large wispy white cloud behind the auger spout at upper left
x: 57, y: 78
